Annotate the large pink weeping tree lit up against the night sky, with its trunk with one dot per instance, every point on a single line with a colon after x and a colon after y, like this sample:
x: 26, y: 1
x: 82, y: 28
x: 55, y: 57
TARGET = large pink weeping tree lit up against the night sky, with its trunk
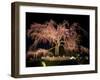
x: 62, y: 33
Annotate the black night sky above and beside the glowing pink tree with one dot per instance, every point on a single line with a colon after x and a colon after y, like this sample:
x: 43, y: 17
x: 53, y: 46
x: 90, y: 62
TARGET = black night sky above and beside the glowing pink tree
x: 83, y: 20
